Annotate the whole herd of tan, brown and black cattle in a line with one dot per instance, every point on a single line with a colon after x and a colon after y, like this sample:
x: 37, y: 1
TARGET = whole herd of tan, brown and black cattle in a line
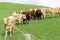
x: 23, y: 17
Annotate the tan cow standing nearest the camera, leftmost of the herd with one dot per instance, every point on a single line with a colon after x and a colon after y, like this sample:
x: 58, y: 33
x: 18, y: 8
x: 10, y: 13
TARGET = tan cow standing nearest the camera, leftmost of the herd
x: 9, y: 25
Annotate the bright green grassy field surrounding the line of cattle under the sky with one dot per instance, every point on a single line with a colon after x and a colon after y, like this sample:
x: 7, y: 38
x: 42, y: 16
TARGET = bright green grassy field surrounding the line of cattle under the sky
x: 47, y: 29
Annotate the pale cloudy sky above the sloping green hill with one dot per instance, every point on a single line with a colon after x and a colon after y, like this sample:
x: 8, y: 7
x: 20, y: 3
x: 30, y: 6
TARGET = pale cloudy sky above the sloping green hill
x: 49, y: 3
